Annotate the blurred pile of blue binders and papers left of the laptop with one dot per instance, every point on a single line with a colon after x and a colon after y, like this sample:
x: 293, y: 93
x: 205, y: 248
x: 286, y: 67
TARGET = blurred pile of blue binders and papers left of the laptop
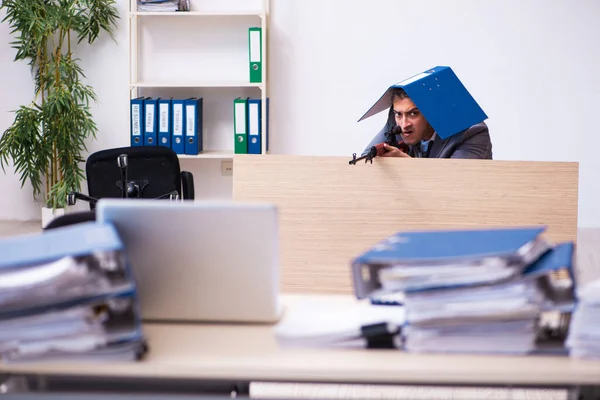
x: 68, y: 293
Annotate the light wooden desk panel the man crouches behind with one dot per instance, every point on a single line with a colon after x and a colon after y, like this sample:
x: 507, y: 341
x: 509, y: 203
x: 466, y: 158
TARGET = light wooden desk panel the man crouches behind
x: 331, y: 211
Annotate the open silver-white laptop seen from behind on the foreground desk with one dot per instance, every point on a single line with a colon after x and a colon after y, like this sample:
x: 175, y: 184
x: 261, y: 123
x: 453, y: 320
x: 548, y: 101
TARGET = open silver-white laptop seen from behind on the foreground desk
x: 200, y: 260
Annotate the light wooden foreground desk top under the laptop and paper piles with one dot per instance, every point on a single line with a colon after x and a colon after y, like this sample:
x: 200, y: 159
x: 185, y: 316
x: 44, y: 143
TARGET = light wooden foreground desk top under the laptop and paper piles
x: 214, y: 357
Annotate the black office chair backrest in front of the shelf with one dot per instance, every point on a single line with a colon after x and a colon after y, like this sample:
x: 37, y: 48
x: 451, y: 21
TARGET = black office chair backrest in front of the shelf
x: 154, y: 171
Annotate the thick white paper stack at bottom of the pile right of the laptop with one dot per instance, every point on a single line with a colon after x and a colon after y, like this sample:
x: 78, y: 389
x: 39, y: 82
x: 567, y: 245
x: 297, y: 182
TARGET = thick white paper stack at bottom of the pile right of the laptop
x: 492, y: 320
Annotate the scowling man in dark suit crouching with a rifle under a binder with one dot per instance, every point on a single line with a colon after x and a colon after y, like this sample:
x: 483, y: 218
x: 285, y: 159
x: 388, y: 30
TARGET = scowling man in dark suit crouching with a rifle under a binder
x: 473, y: 142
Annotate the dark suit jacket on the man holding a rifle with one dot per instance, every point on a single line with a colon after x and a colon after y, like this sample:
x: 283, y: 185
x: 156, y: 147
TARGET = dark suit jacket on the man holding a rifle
x: 473, y: 142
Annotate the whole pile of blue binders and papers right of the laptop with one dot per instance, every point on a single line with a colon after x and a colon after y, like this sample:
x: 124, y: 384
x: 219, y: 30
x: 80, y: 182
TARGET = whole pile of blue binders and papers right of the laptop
x: 470, y: 290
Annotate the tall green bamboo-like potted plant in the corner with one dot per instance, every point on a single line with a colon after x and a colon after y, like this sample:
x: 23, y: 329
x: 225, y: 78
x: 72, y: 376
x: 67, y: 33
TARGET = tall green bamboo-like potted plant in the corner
x: 48, y: 137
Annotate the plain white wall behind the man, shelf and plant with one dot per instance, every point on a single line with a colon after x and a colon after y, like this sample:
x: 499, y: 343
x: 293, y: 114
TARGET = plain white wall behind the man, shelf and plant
x: 532, y: 65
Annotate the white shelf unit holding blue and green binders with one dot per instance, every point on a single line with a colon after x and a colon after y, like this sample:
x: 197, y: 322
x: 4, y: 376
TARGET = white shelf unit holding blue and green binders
x: 135, y: 84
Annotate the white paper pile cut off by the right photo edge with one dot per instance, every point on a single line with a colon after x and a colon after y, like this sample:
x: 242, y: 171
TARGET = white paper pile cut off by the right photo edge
x: 584, y: 332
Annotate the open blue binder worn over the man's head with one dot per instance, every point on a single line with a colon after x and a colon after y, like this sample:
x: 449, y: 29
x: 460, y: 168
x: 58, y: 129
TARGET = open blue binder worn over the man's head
x: 442, y: 99
